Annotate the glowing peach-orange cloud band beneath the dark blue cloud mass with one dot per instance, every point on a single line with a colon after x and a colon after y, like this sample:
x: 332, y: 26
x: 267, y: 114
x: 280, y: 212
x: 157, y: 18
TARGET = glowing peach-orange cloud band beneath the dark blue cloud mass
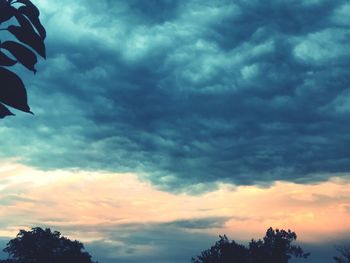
x: 60, y: 198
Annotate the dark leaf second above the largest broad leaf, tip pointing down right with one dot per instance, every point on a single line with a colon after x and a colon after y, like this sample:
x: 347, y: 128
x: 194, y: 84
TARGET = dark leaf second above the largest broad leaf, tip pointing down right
x: 29, y: 37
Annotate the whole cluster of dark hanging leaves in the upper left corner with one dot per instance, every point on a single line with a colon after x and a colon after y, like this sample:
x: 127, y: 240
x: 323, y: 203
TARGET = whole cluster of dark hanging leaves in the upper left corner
x: 29, y: 35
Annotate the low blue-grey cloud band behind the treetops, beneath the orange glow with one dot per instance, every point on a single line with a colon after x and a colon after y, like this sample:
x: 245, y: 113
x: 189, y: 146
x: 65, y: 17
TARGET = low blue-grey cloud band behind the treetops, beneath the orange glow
x: 176, y: 242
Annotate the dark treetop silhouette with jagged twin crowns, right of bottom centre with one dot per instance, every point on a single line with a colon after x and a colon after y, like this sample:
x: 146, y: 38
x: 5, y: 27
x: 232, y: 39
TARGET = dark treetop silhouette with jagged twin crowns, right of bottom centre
x: 275, y: 247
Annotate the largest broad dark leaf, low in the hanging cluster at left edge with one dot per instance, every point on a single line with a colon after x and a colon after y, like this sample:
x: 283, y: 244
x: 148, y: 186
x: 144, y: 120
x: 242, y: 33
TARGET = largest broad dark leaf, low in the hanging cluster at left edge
x: 13, y: 92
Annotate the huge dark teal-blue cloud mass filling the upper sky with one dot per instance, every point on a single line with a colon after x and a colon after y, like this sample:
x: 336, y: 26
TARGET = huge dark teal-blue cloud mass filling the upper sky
x: 191, y: 92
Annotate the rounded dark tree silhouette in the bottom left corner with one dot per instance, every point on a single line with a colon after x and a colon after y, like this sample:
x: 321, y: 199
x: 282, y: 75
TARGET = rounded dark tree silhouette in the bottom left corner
x: 43, y: 246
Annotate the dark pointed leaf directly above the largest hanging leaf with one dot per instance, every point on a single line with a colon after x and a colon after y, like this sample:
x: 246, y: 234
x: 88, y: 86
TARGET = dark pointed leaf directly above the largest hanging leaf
x: 23, y: 54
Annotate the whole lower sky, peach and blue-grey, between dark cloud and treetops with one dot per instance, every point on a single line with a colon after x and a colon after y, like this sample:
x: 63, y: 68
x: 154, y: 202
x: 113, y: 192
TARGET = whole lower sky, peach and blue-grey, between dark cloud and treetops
x: 122, y: 219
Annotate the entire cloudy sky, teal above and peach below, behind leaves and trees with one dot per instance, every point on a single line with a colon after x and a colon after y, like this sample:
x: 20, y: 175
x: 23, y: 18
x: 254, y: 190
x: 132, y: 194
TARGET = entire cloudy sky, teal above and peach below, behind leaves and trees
x: 161, y: 124
